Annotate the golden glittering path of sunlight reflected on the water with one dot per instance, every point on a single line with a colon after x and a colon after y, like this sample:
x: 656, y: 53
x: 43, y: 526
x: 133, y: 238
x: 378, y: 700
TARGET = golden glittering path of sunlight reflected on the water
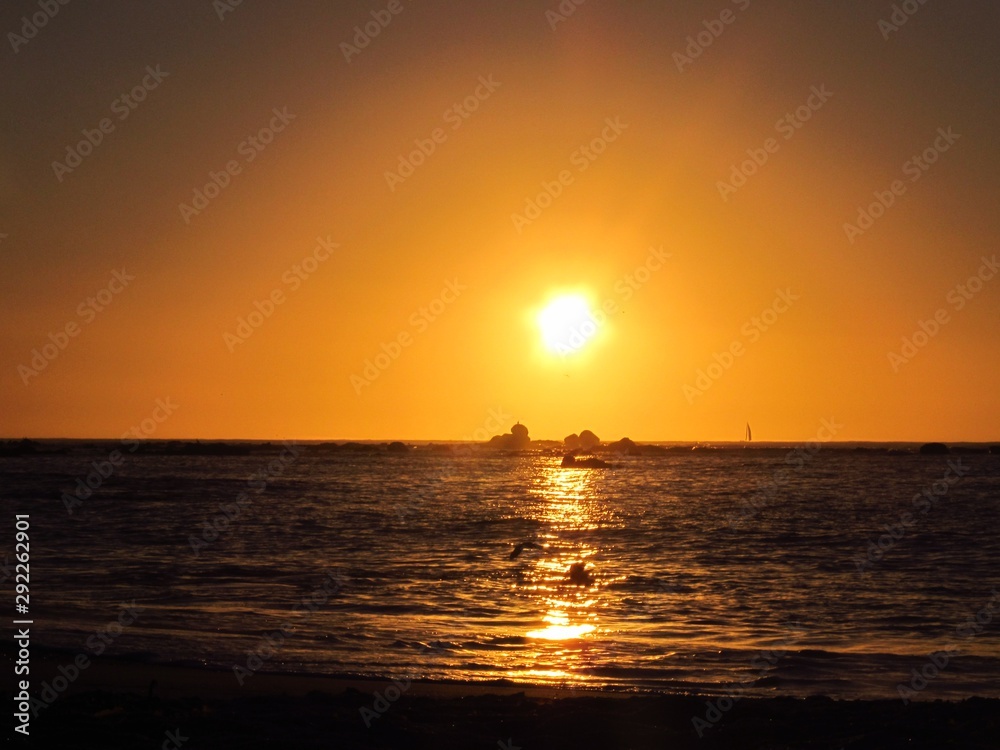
x: 566, y: 501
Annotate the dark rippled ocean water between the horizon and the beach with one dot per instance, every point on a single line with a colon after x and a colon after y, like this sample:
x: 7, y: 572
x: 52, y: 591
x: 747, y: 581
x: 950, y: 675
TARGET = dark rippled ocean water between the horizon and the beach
x: 751, y: 571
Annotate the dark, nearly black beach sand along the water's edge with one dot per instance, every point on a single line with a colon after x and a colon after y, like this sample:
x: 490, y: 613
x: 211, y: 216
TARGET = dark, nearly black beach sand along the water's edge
x: 110, y: 705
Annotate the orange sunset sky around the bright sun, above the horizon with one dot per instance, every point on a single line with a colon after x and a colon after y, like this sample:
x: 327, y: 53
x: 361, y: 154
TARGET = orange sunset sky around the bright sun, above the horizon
x: 583, y: 153
